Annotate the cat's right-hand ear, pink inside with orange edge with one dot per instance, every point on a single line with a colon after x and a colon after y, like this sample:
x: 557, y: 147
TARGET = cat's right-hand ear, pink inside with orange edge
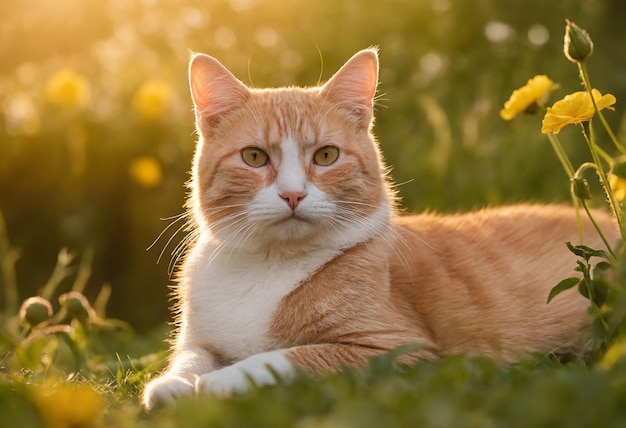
x: 354, y: 85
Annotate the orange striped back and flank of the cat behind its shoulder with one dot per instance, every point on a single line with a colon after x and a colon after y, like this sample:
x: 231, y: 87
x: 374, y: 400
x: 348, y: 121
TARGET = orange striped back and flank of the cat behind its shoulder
x: 481, y: 280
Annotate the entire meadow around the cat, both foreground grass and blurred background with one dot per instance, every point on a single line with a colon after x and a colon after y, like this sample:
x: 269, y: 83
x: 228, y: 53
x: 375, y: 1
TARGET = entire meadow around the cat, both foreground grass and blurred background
x: 96, y: 138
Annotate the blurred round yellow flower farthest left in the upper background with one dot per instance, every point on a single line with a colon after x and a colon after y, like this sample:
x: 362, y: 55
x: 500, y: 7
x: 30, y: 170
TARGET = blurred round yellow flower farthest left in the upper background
x: 67, y: 88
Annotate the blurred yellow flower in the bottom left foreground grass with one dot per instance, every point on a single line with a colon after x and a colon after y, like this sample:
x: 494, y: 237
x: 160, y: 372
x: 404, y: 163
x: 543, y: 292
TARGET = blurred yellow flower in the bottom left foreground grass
x: 70, y: 405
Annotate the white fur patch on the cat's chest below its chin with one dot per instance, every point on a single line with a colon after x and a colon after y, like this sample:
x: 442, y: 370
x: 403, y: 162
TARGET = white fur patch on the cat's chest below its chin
x: 230, y: 301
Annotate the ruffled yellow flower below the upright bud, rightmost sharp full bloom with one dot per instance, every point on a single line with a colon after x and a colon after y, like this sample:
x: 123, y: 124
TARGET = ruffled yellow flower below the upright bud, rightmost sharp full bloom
x: 574, y: 109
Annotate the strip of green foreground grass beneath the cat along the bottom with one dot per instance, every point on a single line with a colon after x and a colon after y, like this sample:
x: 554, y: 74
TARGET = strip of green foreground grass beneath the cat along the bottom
x: 456, y: 392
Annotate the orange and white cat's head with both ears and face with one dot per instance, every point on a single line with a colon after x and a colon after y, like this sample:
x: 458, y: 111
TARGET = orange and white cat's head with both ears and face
x: 287, y: 165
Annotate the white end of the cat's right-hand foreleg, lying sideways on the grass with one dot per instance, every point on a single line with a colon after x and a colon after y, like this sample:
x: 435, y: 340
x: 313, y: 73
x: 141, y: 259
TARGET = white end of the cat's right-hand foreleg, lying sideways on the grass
x: 237, y: 378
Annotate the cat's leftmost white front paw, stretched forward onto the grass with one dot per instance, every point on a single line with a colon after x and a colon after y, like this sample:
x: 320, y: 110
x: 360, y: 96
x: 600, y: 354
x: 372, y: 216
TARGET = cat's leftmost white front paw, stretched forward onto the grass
x: 179, y: 379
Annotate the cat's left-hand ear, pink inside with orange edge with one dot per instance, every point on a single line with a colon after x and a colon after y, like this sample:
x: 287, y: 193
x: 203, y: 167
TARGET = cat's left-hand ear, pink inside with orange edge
x: 214, y: 89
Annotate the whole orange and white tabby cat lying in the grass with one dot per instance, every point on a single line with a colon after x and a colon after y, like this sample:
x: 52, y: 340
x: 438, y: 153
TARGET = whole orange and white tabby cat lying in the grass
x: 300, y: 259
